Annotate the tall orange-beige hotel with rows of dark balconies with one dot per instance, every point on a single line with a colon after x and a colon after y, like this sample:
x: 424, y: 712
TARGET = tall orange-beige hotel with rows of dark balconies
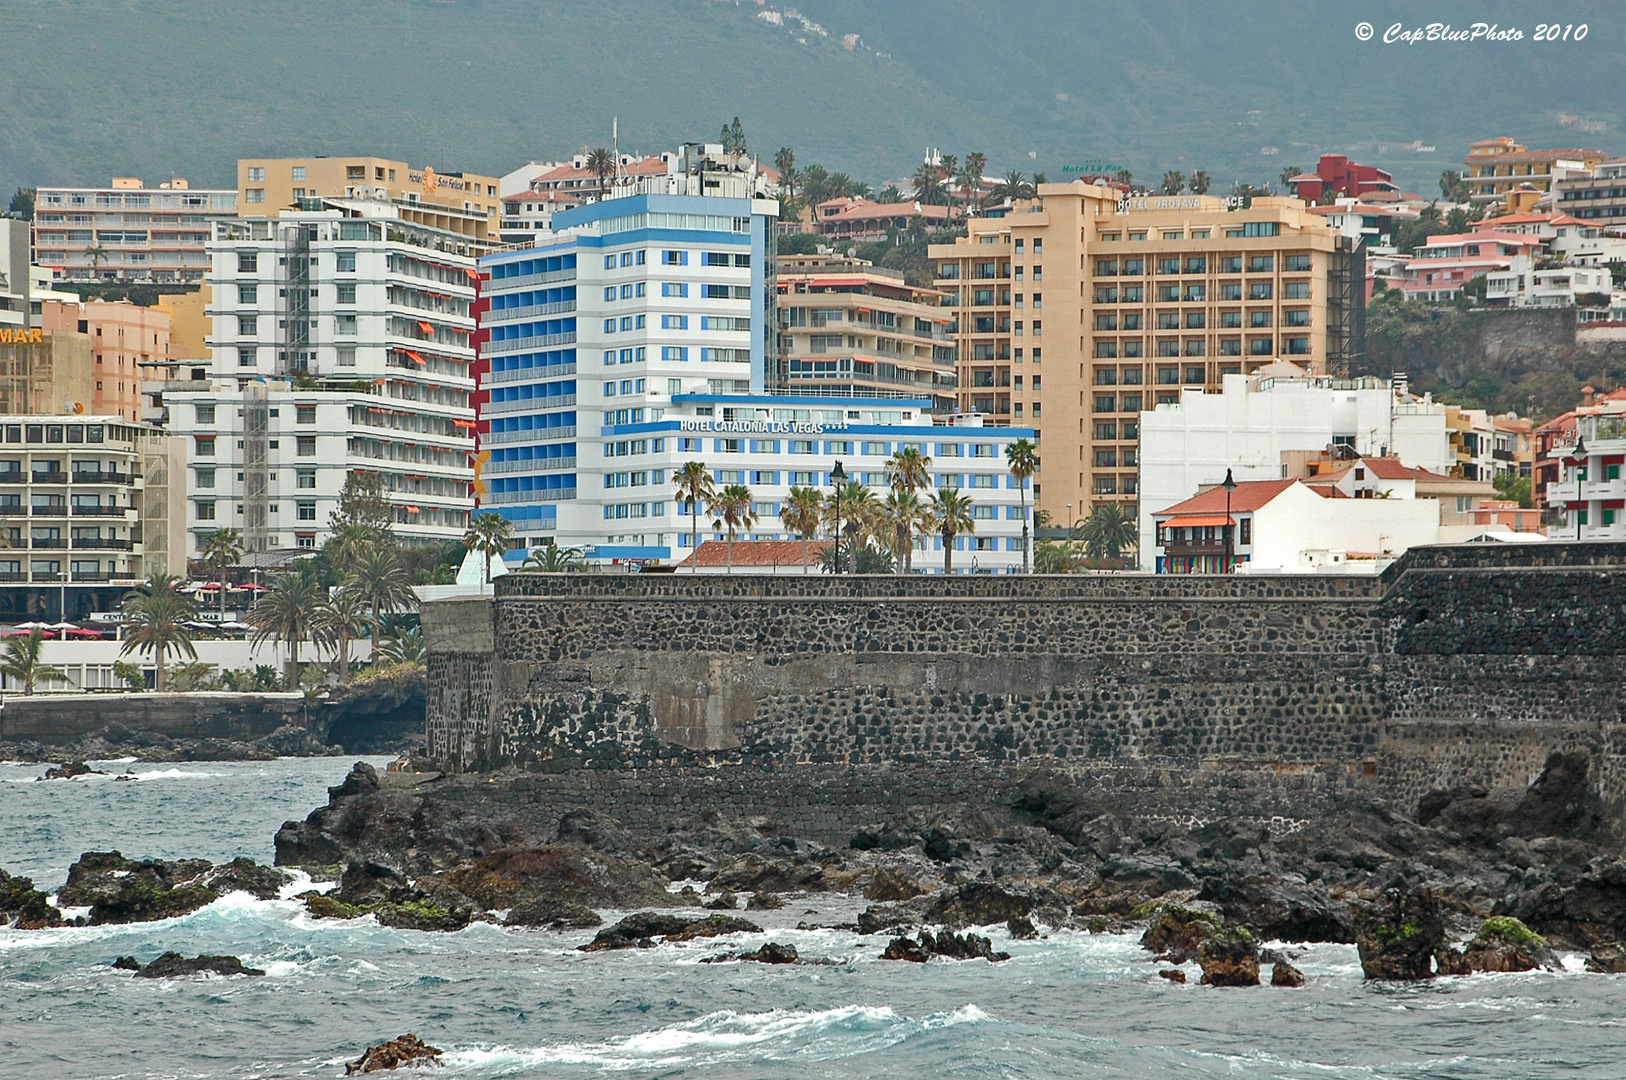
x: 1147, y: 297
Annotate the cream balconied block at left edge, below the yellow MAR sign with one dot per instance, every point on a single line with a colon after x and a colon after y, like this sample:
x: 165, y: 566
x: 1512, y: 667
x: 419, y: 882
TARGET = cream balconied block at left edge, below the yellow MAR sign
x: 76, y: 510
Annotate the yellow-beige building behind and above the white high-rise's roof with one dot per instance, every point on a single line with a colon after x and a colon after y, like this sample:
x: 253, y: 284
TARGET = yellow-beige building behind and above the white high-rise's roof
x: 450, y: 202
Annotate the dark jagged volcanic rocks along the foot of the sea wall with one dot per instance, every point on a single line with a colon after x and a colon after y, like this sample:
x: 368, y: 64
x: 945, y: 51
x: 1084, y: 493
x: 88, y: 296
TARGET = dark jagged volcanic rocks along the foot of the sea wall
x: 1472, y: 881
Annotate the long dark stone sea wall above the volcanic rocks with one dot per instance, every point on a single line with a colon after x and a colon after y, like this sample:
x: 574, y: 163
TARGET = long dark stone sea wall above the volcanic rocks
x: 843, y: 700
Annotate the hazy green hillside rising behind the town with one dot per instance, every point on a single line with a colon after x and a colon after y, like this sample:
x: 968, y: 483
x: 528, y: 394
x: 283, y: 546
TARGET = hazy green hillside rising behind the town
x: 185, y: 87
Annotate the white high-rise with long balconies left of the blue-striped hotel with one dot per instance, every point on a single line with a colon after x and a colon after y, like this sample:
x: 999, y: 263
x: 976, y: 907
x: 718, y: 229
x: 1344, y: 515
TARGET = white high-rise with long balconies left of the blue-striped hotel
x: 341, y: 344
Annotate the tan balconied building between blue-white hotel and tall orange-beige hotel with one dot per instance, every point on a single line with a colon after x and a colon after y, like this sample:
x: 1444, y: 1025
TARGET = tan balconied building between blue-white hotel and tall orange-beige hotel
x: 851, y: 329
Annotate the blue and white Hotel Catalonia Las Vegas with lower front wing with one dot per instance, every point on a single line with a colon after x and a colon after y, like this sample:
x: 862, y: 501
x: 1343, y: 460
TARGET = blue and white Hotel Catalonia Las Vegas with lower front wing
x: 638, y: 336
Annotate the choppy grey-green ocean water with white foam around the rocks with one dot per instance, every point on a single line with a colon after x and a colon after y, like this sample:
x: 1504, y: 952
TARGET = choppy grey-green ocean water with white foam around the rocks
x: 526, y: 1004
